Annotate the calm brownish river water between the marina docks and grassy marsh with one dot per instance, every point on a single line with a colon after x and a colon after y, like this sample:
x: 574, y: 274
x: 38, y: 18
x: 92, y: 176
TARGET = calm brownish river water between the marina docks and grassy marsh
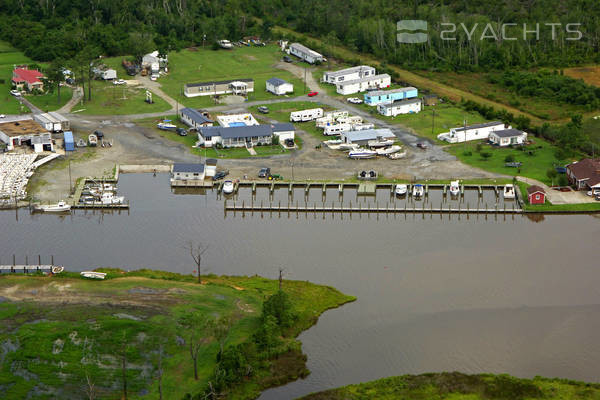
x: 435, y: 293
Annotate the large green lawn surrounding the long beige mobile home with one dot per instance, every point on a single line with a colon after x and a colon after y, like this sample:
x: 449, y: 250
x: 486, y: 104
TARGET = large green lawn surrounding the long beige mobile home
x: 198, y: 65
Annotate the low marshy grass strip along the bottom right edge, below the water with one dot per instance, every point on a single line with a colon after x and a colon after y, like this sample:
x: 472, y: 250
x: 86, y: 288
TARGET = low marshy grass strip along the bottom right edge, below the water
x: 458, y: 386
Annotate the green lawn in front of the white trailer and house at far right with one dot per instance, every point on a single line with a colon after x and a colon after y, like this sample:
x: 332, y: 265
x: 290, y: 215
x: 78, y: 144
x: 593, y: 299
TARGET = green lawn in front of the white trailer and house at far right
x: 535, y: 165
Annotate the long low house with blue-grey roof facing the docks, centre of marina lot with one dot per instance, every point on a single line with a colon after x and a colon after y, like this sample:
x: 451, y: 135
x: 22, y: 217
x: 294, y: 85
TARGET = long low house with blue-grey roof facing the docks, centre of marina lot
x: 235, y: 136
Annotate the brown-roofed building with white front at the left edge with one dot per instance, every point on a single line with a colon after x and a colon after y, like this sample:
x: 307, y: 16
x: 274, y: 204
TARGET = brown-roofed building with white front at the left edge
x: 25, y: 132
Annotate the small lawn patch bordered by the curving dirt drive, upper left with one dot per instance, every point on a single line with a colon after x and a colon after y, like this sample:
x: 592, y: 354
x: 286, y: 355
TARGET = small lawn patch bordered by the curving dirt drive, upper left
x: 109, y: 99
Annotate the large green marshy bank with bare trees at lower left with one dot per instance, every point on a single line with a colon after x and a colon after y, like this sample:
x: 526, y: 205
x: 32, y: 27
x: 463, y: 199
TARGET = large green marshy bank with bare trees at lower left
x: 58, y: 331
